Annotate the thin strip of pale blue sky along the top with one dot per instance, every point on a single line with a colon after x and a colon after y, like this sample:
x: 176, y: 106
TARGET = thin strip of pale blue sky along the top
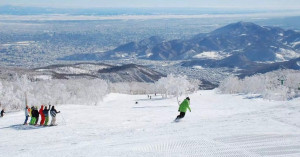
x: 242, y: 4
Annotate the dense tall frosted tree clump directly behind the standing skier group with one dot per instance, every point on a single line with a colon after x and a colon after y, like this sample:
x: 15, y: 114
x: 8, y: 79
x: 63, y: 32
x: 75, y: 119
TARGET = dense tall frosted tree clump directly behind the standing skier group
x: 77, y: 91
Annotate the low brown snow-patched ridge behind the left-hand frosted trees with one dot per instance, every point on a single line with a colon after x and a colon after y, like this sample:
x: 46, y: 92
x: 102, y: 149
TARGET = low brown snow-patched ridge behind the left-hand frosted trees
x: 112, y: 73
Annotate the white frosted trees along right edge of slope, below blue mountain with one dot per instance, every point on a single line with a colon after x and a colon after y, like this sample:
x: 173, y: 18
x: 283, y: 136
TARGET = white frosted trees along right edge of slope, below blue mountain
x: 276, y: 85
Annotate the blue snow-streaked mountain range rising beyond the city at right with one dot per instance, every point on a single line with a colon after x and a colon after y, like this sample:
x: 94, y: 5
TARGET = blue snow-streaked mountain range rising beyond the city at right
x: 245, y: 39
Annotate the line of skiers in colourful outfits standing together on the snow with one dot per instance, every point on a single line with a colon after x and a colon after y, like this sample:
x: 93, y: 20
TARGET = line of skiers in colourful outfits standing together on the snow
x: 34, y: 113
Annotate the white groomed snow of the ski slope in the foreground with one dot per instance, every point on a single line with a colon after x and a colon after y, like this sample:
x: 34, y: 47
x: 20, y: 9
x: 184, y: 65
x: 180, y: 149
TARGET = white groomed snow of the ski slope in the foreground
x: 219, y: 125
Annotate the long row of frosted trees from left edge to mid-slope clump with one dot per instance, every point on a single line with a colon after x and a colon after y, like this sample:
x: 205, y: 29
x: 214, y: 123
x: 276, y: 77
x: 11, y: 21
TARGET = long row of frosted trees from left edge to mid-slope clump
x: 84, y: 91
